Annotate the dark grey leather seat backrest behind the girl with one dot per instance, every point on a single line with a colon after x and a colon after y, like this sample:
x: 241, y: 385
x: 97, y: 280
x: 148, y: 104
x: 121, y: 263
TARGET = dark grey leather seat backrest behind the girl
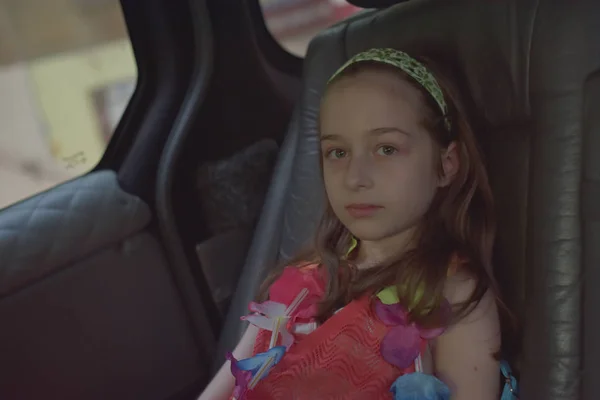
x: 530, y: 69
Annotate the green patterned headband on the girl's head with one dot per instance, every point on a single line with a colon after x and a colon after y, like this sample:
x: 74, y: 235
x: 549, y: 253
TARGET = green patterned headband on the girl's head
x: 410, y: 66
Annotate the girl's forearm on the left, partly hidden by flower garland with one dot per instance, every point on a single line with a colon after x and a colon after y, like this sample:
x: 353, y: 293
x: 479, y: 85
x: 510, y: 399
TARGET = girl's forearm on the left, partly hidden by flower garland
x: 221, y: 387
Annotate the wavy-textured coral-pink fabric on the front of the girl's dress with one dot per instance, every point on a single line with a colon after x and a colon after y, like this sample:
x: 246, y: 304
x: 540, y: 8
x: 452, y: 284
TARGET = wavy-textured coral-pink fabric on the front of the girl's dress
x: 339, y: 360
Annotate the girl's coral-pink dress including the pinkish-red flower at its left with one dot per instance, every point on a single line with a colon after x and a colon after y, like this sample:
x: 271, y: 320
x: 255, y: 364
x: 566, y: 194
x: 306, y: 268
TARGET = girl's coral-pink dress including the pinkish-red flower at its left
x: 342, y: 358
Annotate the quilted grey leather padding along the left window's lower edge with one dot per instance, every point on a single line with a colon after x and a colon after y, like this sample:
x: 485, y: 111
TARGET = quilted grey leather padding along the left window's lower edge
x: 37, y: 235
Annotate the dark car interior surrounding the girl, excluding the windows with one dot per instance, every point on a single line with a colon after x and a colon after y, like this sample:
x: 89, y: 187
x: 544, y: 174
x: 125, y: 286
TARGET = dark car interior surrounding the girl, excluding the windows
x: 128, y: 282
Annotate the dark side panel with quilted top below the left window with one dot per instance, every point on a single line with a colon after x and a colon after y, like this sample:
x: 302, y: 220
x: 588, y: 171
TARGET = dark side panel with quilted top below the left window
x: 88, y: 305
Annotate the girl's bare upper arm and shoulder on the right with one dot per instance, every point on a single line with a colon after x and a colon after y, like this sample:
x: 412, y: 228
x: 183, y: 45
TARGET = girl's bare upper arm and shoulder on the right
x: 464, y: 355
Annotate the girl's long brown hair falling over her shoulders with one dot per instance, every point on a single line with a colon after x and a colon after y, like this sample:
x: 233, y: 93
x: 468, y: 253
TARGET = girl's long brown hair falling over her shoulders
x: 460, y: 222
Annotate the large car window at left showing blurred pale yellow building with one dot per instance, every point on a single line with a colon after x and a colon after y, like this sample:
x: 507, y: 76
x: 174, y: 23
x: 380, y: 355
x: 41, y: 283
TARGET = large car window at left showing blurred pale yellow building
x: 67, y: 71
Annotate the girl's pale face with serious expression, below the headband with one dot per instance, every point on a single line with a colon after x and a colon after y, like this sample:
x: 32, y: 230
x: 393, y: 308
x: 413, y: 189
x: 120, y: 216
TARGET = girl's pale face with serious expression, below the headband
x: 380, y: 165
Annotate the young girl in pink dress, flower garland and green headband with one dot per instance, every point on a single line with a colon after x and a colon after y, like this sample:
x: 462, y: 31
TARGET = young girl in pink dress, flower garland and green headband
x: 396, y: 299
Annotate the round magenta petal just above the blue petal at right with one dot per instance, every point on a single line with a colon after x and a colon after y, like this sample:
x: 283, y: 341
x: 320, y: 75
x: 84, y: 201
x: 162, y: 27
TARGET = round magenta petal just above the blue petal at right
x: 400, y: 346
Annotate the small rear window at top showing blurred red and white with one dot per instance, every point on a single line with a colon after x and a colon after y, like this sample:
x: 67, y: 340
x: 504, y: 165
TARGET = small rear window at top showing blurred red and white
x: 293, y: 23
